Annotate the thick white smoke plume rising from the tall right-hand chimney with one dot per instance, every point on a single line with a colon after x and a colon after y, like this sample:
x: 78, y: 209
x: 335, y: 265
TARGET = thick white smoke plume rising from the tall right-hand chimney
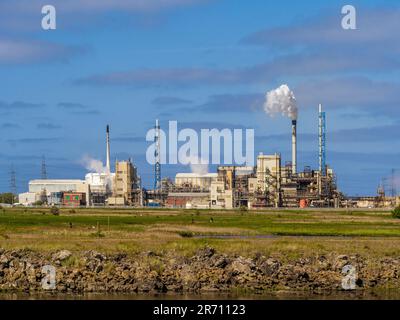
x: 281, y: 100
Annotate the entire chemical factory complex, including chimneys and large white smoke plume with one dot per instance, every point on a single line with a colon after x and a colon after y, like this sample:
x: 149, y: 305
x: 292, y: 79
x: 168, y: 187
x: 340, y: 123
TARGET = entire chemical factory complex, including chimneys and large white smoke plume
x: 271, y: 183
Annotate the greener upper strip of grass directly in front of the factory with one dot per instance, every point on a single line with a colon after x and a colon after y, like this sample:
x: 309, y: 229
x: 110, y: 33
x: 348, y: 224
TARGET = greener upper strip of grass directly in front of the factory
x: 281, y: 223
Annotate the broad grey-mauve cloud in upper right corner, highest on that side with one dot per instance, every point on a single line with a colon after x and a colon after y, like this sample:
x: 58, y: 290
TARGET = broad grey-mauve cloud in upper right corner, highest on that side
x: 375, y: 27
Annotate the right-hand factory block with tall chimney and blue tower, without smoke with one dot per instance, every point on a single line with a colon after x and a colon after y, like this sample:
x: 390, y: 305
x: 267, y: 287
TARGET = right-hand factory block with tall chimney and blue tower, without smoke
x: 269, y: 183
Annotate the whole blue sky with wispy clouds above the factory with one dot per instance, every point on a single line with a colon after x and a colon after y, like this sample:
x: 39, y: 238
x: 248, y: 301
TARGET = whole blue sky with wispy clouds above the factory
x: 205, y: 64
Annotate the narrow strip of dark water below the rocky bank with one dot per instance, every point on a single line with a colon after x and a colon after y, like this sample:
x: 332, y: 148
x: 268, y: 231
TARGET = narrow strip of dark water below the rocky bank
x: 276, y: 295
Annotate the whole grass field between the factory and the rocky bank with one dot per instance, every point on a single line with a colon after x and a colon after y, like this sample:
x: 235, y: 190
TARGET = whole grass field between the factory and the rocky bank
x: 290, y: 233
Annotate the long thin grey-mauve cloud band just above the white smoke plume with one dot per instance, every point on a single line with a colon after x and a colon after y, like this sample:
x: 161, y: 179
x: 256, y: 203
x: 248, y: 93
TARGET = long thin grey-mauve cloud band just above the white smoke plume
x: 295, y: 65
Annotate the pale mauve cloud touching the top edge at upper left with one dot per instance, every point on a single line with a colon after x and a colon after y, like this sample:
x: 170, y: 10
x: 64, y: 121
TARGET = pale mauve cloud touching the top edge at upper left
x: 22, y: 16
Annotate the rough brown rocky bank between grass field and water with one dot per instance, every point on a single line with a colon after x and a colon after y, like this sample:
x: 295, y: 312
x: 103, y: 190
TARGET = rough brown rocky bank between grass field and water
x: 205, y: 271
